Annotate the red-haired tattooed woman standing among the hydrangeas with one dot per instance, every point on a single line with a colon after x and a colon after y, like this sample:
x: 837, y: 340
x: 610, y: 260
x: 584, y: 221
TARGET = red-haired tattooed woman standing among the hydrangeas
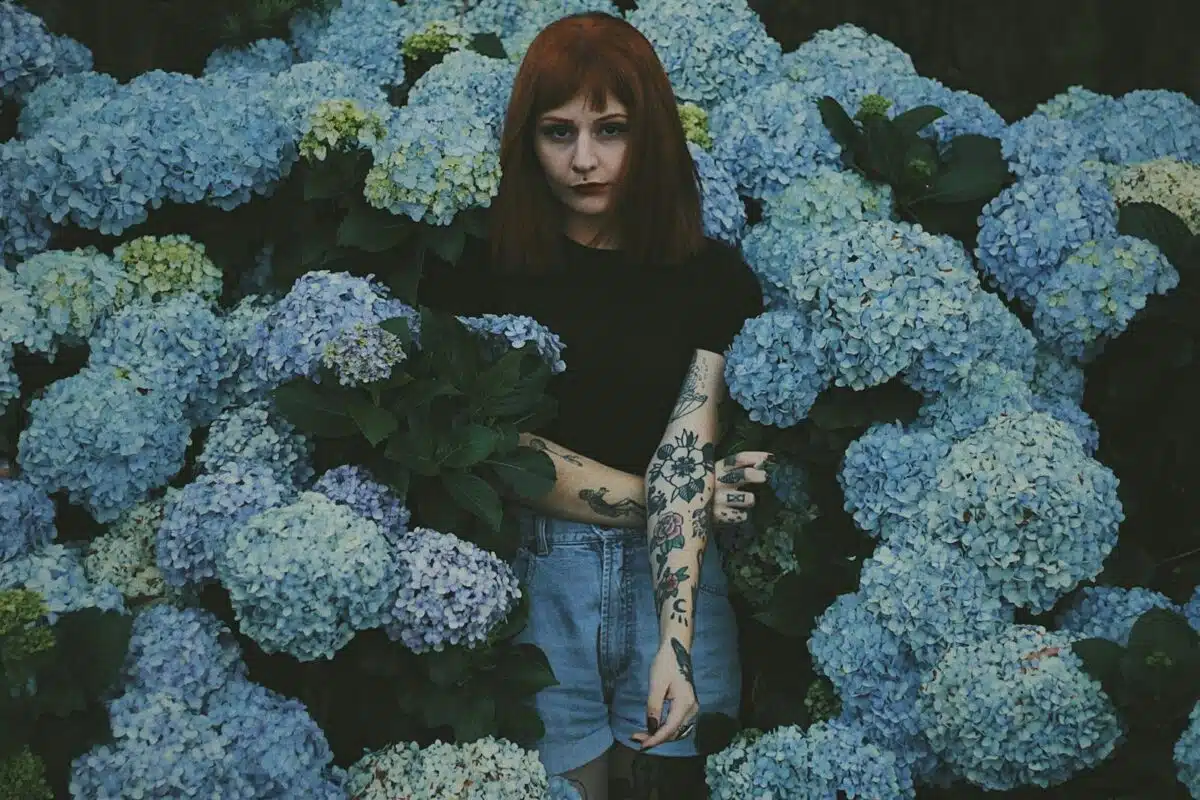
x: 597, y: 233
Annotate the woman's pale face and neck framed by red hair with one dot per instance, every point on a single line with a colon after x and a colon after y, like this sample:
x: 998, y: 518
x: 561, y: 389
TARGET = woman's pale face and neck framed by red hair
x: 580, y: 148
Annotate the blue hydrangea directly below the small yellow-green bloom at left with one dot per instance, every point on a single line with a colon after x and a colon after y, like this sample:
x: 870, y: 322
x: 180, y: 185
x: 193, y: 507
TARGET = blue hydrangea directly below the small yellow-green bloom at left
x: 176, y: 347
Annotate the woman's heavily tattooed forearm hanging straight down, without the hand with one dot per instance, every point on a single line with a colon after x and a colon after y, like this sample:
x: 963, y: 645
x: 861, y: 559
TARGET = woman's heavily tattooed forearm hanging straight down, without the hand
x: 680, y: 489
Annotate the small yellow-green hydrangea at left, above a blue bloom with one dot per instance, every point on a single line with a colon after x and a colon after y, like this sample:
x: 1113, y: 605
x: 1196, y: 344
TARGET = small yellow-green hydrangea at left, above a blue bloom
x: 163, y: 267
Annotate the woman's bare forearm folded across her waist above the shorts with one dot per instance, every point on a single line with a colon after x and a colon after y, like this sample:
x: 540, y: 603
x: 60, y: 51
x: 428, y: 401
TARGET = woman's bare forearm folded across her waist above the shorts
x: 587, y: 491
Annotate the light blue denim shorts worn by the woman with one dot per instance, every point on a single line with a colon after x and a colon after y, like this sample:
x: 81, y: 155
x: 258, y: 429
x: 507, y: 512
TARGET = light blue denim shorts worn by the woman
x: 592, y: 613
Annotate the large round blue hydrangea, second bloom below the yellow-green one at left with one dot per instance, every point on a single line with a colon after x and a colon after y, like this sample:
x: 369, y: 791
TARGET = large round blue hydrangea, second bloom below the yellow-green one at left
x: 106, y: 441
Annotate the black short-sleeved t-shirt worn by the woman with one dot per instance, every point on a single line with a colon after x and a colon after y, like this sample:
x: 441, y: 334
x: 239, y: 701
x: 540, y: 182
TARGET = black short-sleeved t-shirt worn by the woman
x: 631, y: 333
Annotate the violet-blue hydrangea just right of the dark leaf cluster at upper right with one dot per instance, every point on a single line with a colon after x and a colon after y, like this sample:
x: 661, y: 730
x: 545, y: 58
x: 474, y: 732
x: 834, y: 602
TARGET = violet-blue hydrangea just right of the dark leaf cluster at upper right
x: 1031, y: 227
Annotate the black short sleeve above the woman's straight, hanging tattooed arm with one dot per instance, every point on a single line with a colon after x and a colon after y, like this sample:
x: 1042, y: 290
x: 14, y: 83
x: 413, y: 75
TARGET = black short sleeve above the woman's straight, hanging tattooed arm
x: 731, y: 297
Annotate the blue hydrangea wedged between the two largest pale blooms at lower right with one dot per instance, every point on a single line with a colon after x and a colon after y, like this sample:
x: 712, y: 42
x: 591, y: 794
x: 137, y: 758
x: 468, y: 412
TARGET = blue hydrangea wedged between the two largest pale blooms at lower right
x: 931, y: 597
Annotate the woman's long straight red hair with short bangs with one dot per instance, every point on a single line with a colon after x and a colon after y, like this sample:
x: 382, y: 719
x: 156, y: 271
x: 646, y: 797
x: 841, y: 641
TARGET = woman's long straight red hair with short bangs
x: 657, y: 202
